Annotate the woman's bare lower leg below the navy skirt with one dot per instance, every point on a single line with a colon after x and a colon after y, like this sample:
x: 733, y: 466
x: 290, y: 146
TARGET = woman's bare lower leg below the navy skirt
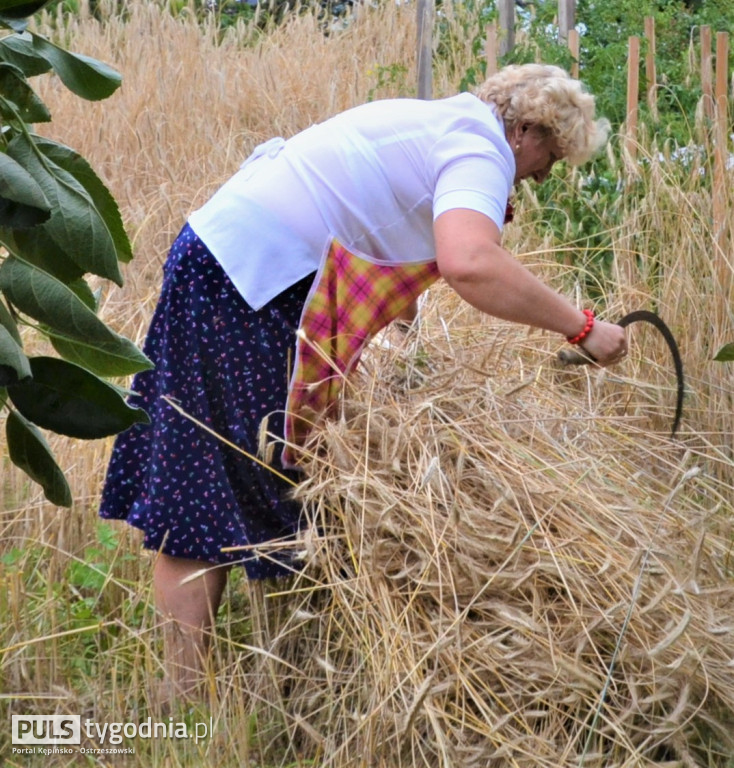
x: 188, y: 593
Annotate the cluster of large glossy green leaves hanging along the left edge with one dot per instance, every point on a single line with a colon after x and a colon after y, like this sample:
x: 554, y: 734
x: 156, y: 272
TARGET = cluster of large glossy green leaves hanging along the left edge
x: 58, y: 224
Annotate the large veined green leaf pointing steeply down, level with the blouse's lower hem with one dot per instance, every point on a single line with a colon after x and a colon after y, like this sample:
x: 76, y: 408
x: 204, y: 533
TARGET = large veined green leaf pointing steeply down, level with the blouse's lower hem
x: 75, y: 224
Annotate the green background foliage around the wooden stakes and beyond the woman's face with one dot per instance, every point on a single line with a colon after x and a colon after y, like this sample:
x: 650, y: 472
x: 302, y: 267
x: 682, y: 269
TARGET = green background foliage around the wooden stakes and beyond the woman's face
x: 583, y: 208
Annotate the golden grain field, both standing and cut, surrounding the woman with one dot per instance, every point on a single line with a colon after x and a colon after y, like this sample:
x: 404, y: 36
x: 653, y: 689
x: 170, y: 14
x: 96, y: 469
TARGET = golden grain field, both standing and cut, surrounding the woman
x: 354, y: 664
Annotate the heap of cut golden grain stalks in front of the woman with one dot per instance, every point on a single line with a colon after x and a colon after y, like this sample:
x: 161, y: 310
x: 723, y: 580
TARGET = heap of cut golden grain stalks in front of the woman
x: 508, y: 566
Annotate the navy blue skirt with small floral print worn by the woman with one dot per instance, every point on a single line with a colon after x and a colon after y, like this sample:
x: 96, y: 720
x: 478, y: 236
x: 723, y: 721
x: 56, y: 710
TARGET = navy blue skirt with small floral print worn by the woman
x: 226, y: 365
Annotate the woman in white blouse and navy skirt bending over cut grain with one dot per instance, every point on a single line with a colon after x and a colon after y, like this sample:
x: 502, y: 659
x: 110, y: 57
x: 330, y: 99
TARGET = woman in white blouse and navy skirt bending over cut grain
x: 333, y: 233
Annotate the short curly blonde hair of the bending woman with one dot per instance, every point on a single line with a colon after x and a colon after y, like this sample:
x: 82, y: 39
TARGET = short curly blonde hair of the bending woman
x: 548, y: 97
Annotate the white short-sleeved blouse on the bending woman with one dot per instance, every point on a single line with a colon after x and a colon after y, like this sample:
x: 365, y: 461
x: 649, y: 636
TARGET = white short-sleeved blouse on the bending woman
x: 374, y: 177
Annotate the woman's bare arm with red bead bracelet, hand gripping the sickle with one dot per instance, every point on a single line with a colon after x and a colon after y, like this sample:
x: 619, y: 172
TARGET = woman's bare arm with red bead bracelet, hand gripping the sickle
x: 472, y: 260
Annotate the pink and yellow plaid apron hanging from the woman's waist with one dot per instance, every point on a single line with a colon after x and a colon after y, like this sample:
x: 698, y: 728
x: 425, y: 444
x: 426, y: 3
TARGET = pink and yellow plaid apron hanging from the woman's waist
x: 351, y: 300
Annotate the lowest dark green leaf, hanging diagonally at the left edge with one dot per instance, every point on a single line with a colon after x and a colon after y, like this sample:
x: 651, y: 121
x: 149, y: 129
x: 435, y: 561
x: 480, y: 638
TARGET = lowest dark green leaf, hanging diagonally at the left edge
x: 29, y: 450
